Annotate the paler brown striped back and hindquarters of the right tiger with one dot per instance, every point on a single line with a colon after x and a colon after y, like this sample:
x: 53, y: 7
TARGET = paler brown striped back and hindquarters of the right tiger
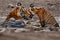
x: 49, y: 19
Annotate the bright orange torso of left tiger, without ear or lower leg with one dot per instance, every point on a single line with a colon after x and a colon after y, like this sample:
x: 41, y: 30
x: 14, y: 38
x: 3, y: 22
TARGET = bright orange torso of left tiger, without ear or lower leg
x: 15, y: 13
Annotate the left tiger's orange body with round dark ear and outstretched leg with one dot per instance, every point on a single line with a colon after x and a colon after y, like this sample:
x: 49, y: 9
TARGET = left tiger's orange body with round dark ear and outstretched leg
x: 15, y: 13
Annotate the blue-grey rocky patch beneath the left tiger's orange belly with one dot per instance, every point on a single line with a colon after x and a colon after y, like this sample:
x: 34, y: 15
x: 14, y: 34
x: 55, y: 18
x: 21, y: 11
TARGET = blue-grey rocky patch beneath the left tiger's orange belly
x: 15, y: 23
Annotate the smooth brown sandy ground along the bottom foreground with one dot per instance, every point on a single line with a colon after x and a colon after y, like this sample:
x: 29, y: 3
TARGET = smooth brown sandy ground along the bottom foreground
x: 31, y: 36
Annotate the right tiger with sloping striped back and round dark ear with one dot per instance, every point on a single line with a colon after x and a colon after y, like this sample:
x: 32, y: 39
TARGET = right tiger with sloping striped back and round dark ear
x: 45, y: 16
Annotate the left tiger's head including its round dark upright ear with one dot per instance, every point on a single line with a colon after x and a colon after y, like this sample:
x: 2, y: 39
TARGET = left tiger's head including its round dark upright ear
x: 26, y: 14
